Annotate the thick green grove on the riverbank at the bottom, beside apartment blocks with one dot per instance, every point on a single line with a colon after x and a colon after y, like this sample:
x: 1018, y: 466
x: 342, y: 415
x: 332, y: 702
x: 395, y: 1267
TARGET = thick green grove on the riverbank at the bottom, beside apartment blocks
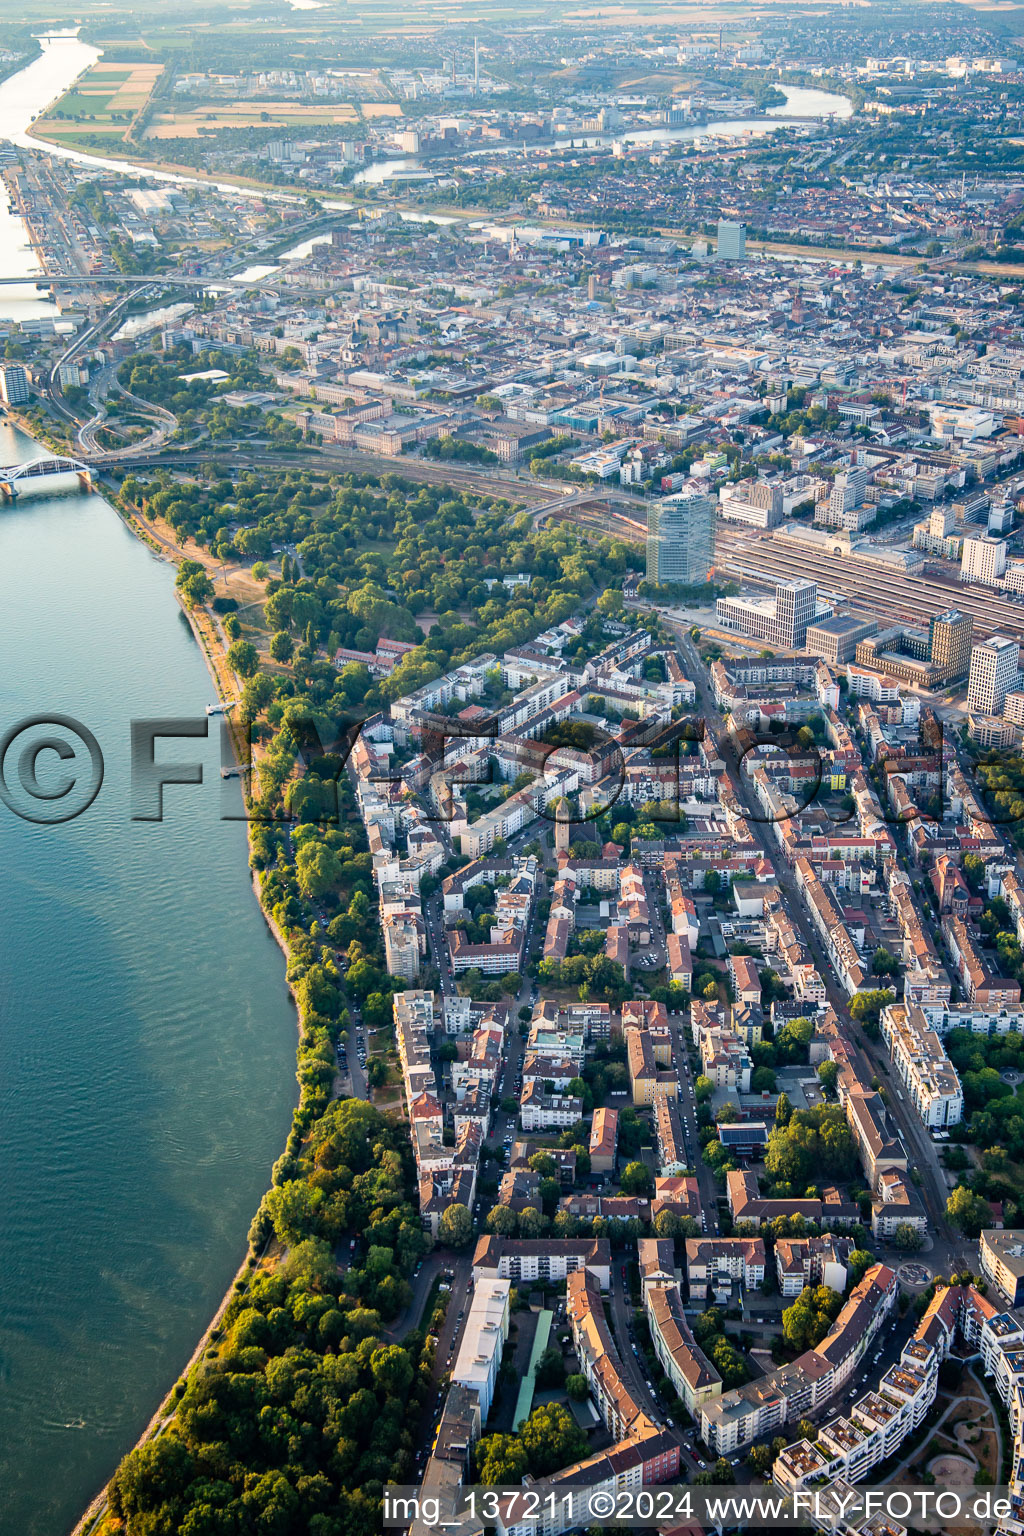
x: 305, y: 1414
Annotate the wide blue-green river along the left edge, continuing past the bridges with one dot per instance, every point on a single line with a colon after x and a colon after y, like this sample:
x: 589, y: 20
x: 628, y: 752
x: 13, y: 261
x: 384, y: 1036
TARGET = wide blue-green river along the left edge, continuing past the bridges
x: 147, y: 1036
